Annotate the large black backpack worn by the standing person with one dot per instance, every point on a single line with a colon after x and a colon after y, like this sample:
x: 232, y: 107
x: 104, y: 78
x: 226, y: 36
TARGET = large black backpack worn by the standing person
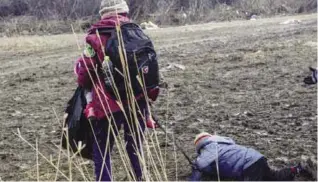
x: 141, y: 59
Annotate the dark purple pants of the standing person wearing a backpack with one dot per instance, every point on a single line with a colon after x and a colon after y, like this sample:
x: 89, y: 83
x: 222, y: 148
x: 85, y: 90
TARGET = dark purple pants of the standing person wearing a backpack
x: 133, y: 135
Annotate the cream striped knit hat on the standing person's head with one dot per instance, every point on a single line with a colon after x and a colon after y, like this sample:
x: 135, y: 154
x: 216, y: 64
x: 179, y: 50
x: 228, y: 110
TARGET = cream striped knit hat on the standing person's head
x: 109, y: 7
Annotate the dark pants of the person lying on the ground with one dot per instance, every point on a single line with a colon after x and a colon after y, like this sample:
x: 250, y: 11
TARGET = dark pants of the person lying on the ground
x: 260, y: 171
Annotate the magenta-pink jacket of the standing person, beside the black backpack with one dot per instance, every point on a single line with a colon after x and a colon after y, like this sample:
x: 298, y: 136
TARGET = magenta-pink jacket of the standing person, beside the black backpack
x: 102, y: 101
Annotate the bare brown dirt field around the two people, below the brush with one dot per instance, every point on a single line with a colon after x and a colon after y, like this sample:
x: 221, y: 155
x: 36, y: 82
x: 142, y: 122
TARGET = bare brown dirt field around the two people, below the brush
x: 242, y: 79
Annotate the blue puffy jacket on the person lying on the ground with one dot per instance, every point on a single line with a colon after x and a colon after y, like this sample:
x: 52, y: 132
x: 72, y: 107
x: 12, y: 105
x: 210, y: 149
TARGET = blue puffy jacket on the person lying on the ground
x: 232, y: 159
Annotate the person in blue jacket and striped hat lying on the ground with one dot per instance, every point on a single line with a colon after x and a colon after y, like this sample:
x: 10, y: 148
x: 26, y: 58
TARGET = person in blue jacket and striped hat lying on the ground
x: 222, y: 157
